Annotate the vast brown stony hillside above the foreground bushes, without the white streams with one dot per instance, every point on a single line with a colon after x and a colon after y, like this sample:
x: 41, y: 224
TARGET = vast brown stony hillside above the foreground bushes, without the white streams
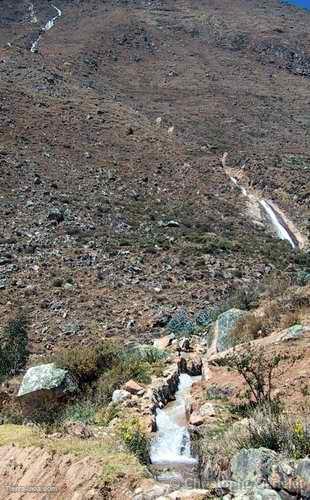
x: 79, y: 134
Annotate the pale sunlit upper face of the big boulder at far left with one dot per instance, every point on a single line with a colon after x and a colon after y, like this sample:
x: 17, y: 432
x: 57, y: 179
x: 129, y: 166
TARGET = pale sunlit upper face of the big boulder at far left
x: 46, y: 378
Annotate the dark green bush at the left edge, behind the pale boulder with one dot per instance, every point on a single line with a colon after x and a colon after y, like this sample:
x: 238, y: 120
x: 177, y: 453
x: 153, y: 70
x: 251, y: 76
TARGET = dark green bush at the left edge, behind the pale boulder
x: 13, y: 347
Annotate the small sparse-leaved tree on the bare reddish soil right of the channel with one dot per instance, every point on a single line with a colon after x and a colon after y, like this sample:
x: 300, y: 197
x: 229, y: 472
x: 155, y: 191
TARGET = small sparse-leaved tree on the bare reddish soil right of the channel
x: 256, y: 369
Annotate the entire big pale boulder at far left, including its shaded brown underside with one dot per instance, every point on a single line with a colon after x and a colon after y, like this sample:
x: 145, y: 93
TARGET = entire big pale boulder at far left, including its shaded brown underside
x: 45, y: 383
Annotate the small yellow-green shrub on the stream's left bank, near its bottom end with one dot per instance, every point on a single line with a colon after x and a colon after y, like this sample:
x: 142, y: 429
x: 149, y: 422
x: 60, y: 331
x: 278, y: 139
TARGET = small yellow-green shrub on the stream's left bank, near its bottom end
x: 135, y: 439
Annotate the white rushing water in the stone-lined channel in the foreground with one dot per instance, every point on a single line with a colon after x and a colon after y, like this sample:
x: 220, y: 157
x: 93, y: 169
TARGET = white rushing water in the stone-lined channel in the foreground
x: 172, y: 443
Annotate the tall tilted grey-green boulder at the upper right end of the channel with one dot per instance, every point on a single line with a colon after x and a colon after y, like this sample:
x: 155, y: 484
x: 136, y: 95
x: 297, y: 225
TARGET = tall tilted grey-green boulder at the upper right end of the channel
x: 220, y: 335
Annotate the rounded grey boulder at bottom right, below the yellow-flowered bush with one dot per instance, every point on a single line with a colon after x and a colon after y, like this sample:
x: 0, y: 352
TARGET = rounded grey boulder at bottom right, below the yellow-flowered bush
x: 252, y: 465
